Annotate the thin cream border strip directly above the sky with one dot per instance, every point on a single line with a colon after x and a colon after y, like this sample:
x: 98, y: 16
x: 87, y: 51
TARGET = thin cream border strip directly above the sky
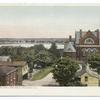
x: 49, y: 4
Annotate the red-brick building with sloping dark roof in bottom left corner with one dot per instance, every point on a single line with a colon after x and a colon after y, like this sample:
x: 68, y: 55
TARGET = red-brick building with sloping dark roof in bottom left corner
x: 8, y: 76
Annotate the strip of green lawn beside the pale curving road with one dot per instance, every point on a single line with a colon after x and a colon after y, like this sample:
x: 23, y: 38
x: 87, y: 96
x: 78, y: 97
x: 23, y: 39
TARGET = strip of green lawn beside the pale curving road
x: 42, y: 73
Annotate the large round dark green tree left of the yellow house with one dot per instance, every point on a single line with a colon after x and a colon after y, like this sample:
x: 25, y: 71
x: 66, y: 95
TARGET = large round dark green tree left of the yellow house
x: 64, y: 72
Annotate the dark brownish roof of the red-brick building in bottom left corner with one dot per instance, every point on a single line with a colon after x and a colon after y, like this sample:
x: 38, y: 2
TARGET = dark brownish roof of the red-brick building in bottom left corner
x: 4, y: 70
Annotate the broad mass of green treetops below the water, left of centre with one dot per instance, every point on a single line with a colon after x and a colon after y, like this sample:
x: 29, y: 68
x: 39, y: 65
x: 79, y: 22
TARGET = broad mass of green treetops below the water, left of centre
x: 30, y: 55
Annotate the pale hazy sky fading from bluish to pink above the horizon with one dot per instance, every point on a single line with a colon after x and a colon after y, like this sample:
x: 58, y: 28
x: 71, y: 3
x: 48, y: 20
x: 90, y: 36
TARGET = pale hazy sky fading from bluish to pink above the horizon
x: 47, y: 21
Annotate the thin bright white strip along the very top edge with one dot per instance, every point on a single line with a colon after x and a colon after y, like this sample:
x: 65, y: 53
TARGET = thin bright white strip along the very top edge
x: 49, y: 1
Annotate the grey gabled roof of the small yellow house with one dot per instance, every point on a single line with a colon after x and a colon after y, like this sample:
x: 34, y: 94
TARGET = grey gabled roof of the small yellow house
x: 86, y: 69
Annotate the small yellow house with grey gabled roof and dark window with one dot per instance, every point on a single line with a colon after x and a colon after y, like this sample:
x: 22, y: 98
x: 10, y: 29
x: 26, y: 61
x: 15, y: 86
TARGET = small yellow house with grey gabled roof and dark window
x: 87, y: 76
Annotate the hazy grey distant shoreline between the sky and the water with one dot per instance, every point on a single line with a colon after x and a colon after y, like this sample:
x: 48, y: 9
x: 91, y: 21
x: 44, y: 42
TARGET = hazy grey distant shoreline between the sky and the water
x: 32, y: 40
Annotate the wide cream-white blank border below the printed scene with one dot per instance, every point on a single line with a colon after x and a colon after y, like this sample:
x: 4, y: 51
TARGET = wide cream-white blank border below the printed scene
x: 50, y: 91
